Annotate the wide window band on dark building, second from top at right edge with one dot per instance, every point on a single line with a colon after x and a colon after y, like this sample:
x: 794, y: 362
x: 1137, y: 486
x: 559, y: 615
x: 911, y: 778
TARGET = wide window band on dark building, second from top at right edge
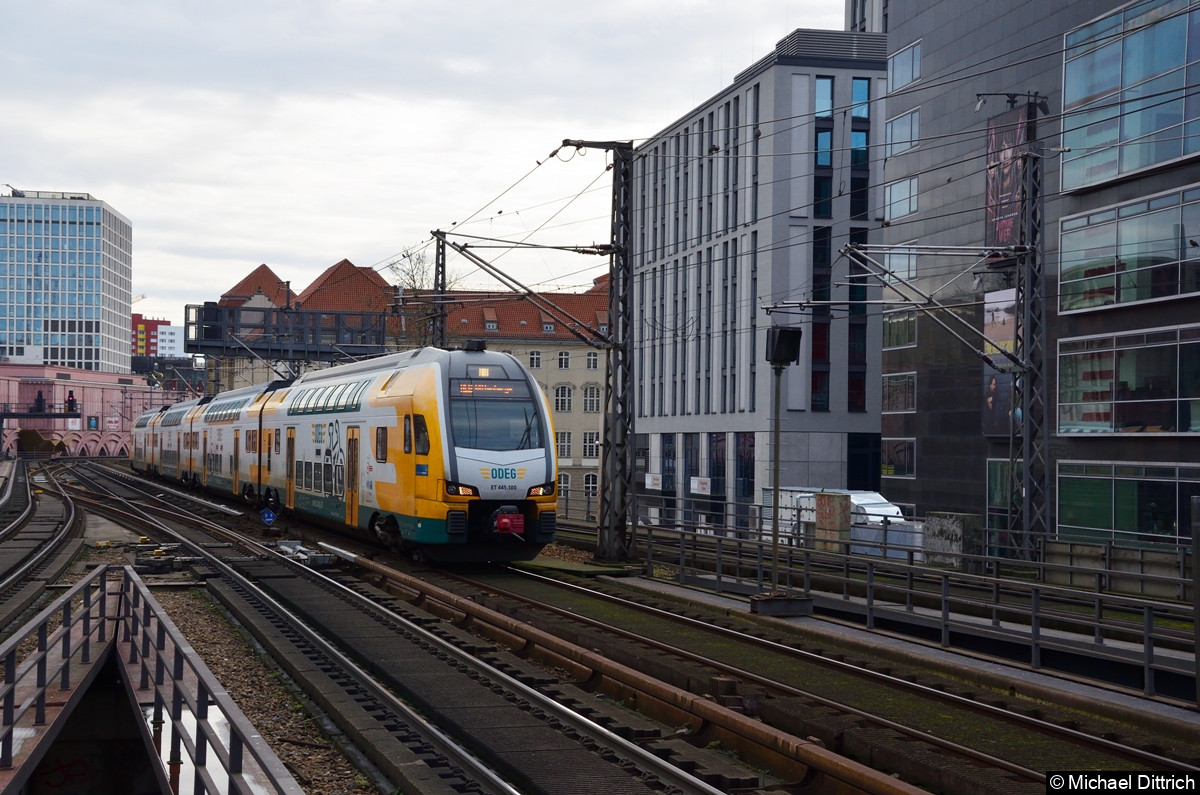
x: 1132, y: 253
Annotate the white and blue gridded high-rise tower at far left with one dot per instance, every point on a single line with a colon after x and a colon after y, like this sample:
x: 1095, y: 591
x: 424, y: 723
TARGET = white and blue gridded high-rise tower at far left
x: 65, y: 282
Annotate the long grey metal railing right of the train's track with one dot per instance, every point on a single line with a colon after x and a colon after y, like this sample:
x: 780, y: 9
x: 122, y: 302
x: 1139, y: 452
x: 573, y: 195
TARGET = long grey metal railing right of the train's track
x: 1023, y: 609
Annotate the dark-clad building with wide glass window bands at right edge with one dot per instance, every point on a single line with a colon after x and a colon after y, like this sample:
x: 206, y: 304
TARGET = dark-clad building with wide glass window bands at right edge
x: 1113, y: 92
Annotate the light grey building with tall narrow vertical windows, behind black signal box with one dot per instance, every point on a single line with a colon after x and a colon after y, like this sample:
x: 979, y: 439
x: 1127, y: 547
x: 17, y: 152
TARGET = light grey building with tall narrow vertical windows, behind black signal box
x: 740, y: 211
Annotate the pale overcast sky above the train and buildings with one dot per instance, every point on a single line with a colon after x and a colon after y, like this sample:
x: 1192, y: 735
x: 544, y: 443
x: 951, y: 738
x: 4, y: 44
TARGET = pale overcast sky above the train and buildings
x: 302, y: 133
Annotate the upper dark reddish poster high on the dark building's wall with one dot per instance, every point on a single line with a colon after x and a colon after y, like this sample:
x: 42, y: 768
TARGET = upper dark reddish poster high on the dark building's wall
x: 1007, y: 135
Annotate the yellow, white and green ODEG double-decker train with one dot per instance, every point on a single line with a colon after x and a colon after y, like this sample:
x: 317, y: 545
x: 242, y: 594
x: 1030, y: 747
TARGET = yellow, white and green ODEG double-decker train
x: 448, y: 455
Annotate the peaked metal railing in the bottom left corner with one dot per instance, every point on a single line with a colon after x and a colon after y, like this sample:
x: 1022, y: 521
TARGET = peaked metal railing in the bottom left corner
x: 207, y: 732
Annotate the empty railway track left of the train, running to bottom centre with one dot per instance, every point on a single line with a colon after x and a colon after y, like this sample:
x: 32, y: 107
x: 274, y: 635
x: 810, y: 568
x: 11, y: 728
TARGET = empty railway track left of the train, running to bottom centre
x: 478, y: 709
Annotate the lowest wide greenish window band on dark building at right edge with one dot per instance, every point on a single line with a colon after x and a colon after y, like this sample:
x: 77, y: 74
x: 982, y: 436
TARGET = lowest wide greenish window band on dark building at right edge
x: 1126, y: 501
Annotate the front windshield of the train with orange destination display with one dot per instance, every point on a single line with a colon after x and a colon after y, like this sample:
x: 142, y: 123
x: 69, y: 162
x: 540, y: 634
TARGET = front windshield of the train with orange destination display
x: 495, y: 415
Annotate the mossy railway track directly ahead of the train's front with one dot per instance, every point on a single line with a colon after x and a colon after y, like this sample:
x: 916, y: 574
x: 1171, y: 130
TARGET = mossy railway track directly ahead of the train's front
x: 941, y: 736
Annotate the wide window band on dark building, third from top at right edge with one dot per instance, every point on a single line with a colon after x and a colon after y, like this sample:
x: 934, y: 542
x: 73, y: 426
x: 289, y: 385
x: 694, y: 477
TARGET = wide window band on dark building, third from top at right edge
x: 1142, y: 384
